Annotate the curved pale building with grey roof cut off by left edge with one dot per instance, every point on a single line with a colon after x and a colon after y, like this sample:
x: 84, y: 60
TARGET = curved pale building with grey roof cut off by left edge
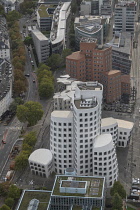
x: 5, y: 85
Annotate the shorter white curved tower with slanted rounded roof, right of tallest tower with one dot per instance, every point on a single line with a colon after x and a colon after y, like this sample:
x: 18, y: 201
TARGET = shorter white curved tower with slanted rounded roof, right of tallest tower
x: 104, y: 159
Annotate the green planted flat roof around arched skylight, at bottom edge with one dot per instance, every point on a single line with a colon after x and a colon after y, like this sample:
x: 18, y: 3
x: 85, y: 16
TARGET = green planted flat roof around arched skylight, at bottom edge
x: 43, y: 198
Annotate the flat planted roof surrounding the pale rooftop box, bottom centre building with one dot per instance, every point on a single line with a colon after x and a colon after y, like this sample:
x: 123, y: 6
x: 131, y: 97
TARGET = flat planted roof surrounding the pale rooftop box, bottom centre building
x: 95, y: 186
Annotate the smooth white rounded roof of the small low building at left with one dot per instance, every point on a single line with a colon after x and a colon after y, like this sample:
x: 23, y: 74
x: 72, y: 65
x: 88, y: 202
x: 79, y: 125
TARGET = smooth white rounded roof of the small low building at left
x: 42, y: 156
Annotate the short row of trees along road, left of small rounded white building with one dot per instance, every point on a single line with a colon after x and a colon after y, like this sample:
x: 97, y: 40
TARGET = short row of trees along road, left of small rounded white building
x: 21, y: 161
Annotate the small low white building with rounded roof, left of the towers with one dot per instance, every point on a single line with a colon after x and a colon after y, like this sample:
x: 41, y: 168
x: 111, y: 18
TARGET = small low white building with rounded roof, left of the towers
x: 41, y: 162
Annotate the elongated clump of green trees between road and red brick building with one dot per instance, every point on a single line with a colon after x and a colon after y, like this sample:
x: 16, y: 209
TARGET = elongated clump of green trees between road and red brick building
x: 45, y: 81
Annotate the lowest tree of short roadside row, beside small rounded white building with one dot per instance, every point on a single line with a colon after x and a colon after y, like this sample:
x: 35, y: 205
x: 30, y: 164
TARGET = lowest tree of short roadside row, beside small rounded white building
x: 21, y: 160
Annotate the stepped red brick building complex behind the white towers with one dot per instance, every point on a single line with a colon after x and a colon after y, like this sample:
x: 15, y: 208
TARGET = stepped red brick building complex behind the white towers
x: 94, y: 63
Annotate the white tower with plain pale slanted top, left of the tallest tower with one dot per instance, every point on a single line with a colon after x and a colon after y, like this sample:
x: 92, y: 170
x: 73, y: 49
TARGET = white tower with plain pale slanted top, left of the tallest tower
x: 61, y: 140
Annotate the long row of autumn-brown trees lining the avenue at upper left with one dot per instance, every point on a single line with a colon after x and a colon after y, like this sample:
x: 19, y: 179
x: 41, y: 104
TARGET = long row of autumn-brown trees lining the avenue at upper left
x: 18, y: 53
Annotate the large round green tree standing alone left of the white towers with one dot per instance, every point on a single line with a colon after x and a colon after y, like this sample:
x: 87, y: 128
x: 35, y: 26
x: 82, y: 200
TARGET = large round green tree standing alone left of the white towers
x: 31, y: 112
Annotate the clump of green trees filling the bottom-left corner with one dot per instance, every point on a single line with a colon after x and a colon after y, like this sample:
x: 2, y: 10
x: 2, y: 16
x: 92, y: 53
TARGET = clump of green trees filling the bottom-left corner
x: 10, y: 193
